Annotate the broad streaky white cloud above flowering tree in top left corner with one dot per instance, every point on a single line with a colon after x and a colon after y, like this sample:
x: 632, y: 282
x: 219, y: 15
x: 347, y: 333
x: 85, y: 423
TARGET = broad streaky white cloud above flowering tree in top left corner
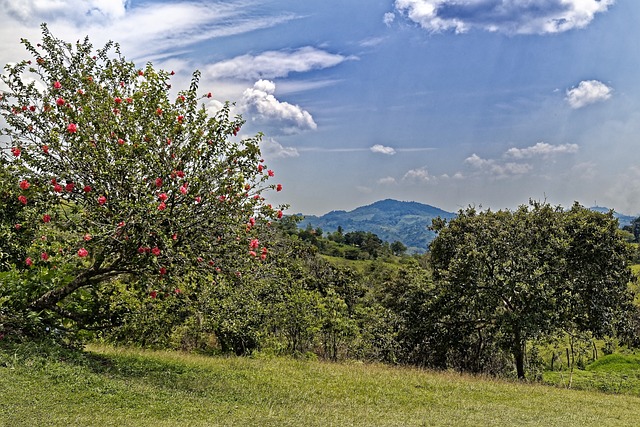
x: 146, y: 31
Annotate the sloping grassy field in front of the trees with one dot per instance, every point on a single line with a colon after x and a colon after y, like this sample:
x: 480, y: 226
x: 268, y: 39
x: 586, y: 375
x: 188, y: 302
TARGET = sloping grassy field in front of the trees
x: 124, y: 387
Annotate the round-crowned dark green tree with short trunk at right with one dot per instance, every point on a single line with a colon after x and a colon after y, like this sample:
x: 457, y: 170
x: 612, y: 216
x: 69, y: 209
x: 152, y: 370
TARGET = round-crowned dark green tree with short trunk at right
x: 509, y: 277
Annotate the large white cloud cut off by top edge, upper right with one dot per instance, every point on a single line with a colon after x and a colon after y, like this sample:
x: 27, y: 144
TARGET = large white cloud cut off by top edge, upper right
x: 506, y: 16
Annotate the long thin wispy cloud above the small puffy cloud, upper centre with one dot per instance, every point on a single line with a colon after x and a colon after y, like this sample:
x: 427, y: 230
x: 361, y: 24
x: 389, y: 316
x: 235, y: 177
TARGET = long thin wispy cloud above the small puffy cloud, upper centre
x: 274, y: 64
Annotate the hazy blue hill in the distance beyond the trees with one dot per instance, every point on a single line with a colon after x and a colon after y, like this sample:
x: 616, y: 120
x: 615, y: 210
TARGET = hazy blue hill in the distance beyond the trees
x: 391, y: 220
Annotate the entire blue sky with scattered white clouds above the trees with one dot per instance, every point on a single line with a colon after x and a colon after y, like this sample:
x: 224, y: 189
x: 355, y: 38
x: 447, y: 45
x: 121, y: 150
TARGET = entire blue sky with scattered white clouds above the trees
x: 445, y: 102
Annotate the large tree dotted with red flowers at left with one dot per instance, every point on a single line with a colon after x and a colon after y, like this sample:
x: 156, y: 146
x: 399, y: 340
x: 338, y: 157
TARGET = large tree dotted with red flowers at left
x: 118, y: 179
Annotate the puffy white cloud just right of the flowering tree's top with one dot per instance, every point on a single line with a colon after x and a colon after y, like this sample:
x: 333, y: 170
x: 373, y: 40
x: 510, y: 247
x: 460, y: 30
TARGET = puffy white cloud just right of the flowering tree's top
x: 263, y: 106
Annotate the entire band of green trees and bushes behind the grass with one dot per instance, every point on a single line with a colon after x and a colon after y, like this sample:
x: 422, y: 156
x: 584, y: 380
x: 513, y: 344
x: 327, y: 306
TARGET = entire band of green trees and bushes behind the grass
x: 134, y: 214
